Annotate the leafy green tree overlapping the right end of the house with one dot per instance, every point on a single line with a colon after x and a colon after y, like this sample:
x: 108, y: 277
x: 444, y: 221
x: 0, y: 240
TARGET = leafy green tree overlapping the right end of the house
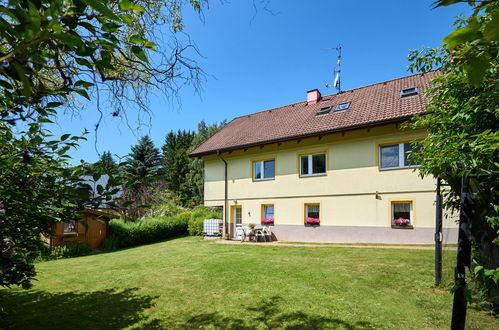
x: 462, y: 121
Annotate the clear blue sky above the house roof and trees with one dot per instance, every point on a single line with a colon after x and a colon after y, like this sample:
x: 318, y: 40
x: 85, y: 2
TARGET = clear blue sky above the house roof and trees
x: 258, y: 61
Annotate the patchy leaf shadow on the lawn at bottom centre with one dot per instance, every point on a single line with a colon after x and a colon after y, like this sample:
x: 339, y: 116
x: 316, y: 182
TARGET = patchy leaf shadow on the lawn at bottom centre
x: 268, y: 314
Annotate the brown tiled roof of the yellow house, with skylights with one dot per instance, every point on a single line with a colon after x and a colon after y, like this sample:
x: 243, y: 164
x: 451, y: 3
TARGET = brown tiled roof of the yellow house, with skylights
x: 370, y: 105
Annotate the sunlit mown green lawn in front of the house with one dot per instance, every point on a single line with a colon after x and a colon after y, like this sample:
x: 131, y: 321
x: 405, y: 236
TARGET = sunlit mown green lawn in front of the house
x: 188, y: 283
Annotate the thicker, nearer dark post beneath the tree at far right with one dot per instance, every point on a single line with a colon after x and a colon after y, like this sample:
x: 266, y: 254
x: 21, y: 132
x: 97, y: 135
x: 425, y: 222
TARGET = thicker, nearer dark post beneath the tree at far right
x: 463, y: 256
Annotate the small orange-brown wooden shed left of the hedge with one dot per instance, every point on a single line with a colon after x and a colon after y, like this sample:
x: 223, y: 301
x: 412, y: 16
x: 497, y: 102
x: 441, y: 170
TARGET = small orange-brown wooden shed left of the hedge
x: 93, y: 228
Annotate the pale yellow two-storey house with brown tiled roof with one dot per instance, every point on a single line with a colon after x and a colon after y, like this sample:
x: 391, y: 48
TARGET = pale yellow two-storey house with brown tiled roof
x: 329, y: 169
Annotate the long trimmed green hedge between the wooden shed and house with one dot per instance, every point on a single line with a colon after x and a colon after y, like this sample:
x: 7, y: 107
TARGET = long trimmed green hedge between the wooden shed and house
x: 143, y: 231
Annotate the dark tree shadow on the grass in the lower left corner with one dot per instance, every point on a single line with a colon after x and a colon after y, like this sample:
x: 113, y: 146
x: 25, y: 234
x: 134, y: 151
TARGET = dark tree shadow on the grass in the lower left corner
x: 106, y: 309
